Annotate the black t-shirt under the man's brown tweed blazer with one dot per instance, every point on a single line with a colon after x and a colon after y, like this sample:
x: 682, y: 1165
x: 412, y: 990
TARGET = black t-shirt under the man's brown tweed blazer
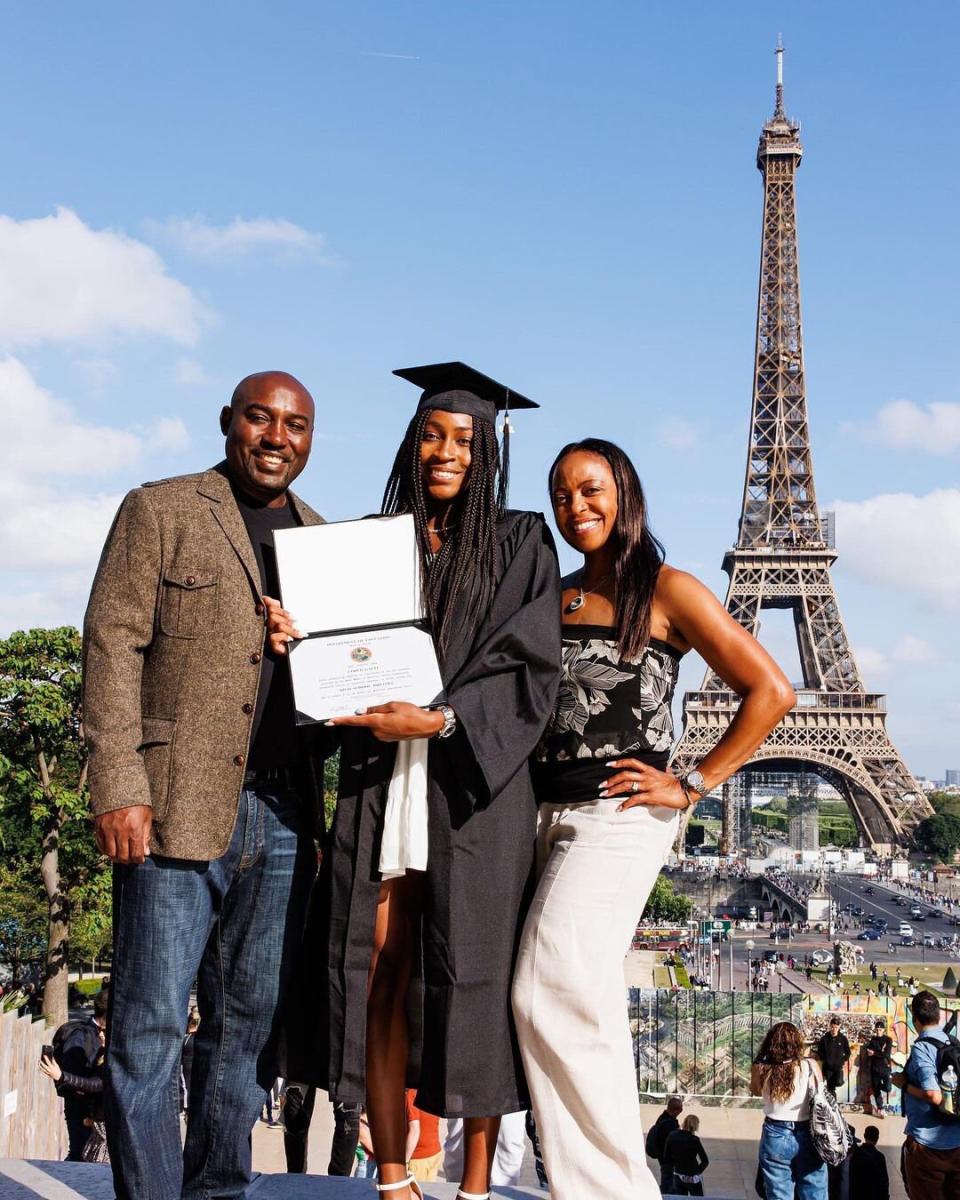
x: 274, y: 741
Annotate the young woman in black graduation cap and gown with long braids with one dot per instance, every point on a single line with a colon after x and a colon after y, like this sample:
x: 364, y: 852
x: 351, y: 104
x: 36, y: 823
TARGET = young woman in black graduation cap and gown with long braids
x: 493, y: 592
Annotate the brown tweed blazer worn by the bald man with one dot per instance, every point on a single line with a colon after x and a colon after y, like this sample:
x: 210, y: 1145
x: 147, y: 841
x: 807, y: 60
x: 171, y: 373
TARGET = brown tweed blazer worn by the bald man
x: 173, y: 644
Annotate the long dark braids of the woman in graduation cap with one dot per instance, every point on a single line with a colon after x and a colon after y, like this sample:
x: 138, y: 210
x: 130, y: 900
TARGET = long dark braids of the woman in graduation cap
x: 465, y: 565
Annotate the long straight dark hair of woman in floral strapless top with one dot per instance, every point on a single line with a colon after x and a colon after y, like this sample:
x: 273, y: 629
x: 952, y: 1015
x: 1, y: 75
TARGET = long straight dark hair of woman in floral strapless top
x: 640, y: 556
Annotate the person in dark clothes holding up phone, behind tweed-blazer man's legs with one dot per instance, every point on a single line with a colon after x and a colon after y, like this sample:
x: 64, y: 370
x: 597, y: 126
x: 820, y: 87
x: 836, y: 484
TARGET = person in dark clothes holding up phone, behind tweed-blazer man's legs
x: 75, y: 1063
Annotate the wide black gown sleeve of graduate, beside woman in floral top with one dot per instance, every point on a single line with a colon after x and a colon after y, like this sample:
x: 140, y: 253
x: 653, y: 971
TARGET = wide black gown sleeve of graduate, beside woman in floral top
x: 505, y: 693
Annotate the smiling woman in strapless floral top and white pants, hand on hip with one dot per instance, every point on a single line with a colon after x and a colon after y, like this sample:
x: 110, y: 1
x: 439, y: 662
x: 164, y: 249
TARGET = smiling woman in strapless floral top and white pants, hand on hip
x: 610, y: 808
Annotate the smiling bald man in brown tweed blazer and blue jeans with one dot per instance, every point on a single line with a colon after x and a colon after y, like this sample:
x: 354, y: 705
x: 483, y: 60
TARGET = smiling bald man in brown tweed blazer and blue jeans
x: 203, y: 797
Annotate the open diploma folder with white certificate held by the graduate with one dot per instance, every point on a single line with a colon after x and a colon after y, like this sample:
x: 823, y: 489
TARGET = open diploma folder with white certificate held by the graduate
x: 355, y: 591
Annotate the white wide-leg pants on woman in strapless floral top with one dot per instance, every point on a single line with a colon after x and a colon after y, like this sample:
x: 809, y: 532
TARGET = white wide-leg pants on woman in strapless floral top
x: 598, y: 867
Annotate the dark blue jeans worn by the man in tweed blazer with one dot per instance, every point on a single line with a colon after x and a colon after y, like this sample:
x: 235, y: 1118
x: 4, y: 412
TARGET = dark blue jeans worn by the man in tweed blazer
x: 233, y: 925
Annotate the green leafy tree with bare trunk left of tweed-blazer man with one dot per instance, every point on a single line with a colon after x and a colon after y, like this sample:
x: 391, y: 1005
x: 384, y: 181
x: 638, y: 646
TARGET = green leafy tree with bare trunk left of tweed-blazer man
x: 45, y: 823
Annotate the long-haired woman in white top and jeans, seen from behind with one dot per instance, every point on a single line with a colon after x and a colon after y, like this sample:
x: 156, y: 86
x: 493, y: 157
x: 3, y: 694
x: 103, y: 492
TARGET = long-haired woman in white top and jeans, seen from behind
x: 785, y: 1079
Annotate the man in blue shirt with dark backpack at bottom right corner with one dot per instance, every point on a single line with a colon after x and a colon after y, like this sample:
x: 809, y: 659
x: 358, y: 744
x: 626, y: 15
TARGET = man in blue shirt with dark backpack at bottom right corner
x: 932, y: 1153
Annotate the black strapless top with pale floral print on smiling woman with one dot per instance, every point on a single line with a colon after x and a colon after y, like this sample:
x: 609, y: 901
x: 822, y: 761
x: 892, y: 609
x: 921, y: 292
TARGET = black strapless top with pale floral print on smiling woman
x: 608, y: 707
